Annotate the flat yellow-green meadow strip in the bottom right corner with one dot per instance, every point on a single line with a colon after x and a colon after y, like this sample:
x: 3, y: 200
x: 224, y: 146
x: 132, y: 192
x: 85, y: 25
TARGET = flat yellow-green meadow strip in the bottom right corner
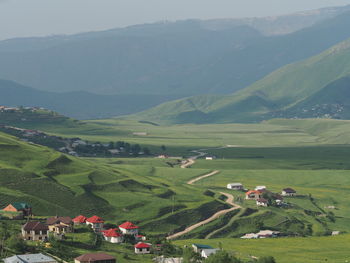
x: 286, y: 250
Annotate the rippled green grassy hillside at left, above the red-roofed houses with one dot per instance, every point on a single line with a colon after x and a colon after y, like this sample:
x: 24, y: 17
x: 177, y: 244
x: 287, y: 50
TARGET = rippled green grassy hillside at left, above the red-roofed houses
x: 57, y: 184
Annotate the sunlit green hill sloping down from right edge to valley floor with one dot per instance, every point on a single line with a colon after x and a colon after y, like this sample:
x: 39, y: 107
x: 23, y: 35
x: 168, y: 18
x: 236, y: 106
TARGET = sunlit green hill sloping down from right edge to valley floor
x: 283, y: 93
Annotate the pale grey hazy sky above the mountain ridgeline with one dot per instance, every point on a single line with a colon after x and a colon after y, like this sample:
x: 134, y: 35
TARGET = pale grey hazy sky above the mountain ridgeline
x: 19, y: 18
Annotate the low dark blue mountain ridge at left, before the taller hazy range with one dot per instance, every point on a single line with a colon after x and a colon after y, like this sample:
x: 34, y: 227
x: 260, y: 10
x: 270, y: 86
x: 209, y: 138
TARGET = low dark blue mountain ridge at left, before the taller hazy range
x: 77, y: 104
